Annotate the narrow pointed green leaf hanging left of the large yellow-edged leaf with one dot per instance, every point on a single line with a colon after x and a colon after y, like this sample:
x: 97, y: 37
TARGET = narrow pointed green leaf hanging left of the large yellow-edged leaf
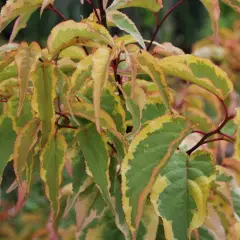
x: 94, y: 148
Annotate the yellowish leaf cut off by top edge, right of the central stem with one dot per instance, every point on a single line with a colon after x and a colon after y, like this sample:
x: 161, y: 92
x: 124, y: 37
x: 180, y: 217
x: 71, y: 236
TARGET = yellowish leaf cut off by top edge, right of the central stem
x: 152, y: 5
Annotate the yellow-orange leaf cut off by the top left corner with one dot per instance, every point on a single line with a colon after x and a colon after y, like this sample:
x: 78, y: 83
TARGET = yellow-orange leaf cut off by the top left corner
x: 14, y: 8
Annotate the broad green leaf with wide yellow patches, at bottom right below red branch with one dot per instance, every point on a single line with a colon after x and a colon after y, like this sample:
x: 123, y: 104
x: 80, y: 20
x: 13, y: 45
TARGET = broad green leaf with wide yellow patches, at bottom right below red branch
x: 181, y: 191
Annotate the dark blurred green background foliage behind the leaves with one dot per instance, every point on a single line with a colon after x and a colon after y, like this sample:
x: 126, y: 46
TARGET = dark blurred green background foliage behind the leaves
x: 186, y: 25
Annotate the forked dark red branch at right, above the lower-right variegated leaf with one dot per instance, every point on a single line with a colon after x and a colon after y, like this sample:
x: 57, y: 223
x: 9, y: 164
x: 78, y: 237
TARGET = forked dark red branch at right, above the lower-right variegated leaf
x: 224, y: 137
